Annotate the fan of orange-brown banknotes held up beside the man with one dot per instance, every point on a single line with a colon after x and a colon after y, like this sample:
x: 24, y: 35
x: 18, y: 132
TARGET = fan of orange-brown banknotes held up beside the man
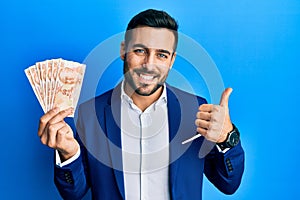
x: 56, y: 83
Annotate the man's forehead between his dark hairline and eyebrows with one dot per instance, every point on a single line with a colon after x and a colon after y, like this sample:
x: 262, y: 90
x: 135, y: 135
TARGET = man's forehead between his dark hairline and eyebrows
x: 156, y: 38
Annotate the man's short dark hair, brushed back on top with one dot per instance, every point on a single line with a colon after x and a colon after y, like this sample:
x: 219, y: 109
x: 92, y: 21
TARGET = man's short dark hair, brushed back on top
x: 153, y: 18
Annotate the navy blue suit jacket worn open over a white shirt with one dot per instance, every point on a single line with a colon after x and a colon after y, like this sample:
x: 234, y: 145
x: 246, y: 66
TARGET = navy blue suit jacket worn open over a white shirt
x: 99, y: 166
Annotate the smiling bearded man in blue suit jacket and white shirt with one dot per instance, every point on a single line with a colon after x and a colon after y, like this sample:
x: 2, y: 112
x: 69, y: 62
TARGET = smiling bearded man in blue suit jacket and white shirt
x: 129, y: 140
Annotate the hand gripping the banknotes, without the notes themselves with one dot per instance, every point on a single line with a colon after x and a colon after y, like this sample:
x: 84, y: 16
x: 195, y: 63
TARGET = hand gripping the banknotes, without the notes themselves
x: 57, y: 134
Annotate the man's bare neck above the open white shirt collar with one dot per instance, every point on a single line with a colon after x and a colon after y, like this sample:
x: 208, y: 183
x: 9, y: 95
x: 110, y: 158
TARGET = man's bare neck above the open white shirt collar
x: 142, y: 102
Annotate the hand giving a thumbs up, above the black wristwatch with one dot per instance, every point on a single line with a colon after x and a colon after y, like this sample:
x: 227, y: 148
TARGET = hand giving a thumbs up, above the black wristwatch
x: 213, y: 121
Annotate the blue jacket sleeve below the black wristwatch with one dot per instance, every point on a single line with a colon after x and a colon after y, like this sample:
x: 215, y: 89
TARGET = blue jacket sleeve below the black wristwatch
x: 225, y: 170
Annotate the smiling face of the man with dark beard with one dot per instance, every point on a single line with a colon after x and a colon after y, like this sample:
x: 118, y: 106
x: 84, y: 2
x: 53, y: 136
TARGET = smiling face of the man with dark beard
x: 148, y: 57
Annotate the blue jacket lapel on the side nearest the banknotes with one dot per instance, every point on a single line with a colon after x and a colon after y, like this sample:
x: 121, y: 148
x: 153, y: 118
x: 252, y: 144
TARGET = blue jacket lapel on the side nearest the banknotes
x: 112, y: 116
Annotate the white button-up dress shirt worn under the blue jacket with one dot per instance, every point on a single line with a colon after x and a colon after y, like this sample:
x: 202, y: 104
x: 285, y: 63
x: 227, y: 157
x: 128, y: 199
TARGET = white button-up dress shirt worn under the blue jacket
x: 145, y: 149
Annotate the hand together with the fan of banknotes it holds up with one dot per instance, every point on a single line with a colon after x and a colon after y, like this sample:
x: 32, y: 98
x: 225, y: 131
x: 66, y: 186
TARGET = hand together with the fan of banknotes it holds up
x: 57, y: 84
